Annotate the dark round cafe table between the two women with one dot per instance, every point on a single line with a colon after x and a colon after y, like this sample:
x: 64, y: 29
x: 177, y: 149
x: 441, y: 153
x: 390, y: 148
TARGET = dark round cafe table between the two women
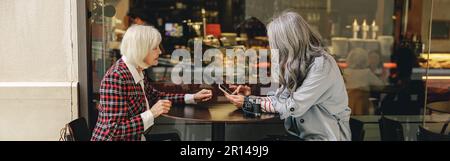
x: 218, y: 114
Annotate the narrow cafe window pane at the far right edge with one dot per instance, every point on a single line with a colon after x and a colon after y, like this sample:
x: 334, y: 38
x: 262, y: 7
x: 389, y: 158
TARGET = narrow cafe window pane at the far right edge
x: 437, y: 75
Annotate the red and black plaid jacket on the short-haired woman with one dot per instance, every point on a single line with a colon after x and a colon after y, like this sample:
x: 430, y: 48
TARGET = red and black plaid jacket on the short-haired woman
x: 121, y: 103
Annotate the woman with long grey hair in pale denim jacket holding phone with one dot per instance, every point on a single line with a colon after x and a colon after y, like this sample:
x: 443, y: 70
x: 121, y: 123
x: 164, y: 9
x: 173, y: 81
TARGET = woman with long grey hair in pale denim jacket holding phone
x: 312, y: 98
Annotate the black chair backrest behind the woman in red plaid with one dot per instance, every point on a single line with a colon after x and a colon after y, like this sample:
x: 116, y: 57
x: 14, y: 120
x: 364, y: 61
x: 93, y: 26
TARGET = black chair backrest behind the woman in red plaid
x: 79, y: 130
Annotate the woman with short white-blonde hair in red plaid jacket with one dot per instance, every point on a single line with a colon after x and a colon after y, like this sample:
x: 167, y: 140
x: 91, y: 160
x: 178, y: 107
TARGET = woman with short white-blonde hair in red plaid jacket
x: 128, y: 102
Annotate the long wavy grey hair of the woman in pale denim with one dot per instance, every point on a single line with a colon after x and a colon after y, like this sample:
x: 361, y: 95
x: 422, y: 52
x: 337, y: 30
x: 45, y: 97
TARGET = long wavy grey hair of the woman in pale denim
x: 297, y: 44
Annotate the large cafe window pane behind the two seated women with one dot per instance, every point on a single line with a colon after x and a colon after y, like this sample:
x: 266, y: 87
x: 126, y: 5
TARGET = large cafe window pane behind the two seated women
x: 381, y: 46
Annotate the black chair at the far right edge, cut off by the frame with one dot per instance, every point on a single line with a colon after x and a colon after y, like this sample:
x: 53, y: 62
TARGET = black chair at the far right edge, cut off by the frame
x: 425, y: 135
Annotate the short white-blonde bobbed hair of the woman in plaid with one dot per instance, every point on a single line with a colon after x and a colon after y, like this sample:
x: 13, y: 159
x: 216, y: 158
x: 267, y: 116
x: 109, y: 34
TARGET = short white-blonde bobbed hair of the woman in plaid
x: 137, y: 42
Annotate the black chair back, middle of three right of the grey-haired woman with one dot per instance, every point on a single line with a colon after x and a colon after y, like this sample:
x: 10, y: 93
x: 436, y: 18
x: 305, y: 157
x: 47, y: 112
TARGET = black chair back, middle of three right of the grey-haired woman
x: 390, y: 130
